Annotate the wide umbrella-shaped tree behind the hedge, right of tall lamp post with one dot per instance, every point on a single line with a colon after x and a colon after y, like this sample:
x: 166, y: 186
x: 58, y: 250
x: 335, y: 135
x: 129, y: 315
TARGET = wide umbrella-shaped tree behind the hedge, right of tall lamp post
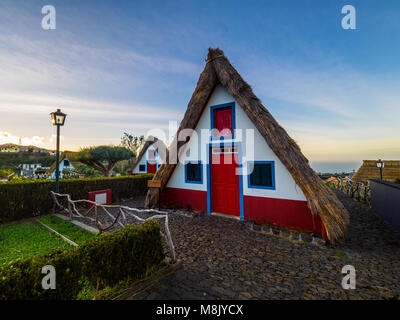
x: 103, y: 158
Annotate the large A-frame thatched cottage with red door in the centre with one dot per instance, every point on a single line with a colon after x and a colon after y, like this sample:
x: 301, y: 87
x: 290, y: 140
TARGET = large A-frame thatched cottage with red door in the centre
x: 273, y: 186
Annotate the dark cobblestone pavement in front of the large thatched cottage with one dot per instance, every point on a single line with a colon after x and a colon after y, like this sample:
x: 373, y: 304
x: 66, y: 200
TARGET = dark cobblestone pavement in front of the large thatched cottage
x: 223, y: 259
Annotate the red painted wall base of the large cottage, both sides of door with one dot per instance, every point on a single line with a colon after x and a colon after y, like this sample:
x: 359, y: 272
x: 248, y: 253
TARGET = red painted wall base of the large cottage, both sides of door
x: 291, y: 214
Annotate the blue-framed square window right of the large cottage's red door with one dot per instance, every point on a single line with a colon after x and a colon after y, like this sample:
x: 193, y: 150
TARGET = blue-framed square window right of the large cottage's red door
x: 261, y: 175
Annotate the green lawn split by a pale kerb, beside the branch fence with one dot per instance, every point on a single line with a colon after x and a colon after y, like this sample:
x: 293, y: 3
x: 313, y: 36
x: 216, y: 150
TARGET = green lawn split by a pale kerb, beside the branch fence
x: 32, y: 239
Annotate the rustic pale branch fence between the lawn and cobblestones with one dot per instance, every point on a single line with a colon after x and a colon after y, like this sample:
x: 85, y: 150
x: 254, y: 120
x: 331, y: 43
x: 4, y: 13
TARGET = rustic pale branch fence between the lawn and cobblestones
x: 73, y: 212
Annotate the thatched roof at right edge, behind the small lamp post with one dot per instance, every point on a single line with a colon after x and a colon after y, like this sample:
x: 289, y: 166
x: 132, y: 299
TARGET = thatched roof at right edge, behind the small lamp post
x: 369, y: 170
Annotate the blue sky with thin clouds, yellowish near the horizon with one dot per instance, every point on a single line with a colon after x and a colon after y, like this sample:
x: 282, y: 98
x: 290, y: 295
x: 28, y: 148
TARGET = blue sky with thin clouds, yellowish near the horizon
x: 118, y: 66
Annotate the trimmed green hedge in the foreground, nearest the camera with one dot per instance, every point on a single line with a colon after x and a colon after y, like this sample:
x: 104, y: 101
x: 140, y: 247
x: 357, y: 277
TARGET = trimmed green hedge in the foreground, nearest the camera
x: 127, y: 254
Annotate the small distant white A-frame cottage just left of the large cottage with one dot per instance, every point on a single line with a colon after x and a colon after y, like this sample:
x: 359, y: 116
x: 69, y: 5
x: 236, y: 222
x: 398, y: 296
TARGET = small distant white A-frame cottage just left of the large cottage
x: 150, y: 157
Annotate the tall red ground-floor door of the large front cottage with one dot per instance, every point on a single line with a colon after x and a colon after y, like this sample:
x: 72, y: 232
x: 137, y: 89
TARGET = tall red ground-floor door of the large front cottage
x: 224, y: 183
